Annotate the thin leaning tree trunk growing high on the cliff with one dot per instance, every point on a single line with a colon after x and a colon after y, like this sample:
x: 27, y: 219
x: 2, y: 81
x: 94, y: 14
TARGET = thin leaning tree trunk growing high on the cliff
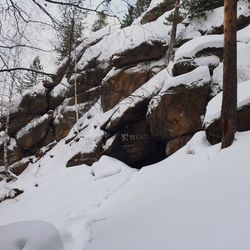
x: 172, y: 41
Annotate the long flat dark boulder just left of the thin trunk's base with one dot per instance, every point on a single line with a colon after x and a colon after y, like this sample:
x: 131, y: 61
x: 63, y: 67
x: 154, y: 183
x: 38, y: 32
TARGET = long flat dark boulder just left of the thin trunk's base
x: 149, y: 50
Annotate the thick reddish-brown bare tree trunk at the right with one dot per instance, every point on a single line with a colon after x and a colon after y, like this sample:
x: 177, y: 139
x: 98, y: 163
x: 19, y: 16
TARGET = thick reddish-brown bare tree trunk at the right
x: 229, y: 102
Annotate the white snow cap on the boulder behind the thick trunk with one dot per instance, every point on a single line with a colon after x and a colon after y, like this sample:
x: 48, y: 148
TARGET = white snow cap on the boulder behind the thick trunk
x: 214, y: 106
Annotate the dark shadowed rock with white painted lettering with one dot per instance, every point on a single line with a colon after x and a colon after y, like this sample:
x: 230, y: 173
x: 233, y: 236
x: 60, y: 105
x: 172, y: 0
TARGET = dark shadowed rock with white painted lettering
x: 135, y: 146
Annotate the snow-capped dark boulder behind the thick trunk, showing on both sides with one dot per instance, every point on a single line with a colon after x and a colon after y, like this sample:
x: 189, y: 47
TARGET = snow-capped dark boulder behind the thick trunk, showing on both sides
x: 212, y: 119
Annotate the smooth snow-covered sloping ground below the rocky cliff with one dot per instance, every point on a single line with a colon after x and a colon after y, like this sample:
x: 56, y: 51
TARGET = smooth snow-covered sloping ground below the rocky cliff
x: 196, y: 199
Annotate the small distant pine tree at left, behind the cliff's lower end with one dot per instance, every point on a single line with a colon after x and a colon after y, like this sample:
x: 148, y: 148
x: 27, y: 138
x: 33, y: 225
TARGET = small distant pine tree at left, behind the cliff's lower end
x: 31, y: 78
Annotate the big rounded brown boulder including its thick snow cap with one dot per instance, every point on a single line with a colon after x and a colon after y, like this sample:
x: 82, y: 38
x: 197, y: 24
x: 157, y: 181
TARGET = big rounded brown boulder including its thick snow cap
x: 179, y: 108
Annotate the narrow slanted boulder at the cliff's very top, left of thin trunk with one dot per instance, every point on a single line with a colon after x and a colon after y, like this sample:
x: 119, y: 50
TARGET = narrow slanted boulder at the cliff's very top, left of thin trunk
x: 153, y: 13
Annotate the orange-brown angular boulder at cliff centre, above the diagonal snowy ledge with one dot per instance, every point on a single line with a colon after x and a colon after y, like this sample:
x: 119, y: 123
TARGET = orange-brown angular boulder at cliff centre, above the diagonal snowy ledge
x: 121, y: 84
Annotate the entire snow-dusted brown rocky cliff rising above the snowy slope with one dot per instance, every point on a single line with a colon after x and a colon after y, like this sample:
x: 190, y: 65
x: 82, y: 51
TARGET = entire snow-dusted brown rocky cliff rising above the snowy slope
x: 128, y: 103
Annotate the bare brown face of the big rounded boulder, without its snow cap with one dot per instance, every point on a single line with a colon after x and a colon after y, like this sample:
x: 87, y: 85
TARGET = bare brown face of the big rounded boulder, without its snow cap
x: 179, y: 111
